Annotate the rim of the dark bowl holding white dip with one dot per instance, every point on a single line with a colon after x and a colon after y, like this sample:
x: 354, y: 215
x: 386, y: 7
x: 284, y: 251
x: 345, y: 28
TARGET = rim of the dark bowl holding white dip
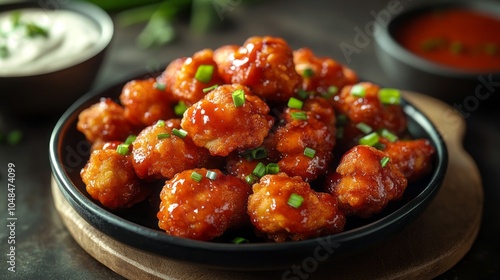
x: 86, y: 9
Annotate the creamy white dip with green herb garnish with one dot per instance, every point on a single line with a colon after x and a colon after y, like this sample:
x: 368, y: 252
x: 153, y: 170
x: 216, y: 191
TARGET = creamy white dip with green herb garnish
x: 70, y: 39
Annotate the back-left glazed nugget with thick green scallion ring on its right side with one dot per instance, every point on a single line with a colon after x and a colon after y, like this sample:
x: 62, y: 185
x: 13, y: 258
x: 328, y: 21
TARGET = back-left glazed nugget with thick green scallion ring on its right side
x: 187, y: 77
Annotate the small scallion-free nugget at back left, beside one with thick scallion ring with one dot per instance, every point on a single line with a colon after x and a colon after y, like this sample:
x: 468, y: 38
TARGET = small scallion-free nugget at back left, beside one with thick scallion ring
x: 146, y: 102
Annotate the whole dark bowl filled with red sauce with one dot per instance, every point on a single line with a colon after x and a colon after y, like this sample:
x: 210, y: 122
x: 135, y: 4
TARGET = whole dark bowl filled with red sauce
x: 449, y: 50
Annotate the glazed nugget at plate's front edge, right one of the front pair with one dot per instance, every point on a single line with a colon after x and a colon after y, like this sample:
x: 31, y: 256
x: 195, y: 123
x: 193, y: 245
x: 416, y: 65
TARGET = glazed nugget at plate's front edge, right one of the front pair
x: 286, y: 208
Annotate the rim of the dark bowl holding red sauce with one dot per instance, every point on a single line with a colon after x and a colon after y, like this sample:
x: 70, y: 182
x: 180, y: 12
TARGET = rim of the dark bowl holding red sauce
x: 387, y: 42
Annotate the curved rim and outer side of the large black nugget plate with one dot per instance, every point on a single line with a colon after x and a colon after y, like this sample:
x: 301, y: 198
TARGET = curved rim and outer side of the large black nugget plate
x: 94, y: 214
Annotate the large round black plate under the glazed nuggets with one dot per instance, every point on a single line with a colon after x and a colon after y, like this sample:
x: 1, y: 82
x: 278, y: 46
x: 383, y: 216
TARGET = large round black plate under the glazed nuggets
x: 137, y: 227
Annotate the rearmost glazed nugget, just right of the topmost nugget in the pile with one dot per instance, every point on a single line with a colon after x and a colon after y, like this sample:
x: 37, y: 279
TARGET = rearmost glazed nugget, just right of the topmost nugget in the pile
x: 321, y: 74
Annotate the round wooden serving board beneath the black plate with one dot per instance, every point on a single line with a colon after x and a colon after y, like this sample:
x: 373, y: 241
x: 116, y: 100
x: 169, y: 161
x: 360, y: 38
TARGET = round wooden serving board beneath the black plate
x: 428, y: 247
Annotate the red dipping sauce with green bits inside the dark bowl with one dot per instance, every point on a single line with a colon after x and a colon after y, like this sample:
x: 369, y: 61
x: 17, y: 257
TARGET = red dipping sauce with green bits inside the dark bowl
x: 455, y: 37
